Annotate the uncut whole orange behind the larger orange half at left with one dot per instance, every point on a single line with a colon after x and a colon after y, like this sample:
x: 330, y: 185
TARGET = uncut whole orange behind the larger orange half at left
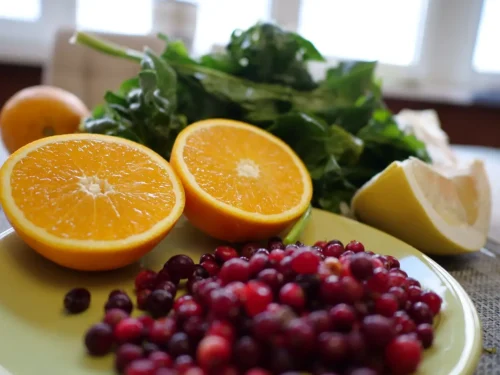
x: 39, y: 111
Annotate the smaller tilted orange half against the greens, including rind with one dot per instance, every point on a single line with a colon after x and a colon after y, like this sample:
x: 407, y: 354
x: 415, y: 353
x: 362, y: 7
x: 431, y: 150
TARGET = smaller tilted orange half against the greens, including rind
x: 241, y: 182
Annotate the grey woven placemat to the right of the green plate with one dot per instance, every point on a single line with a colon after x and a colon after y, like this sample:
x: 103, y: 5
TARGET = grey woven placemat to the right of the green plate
x: 479, y: 275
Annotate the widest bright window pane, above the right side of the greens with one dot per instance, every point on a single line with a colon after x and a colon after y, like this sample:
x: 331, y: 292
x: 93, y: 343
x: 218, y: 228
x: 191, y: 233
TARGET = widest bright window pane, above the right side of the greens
x: 384, y: 30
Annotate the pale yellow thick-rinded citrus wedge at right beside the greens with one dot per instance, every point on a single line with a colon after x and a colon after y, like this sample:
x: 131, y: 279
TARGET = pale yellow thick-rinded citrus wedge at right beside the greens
x: 438, y: 212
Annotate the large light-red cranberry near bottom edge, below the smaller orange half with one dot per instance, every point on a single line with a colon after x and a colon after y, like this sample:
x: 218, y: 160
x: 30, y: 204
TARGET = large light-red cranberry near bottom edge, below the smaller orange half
x: 213, y: 352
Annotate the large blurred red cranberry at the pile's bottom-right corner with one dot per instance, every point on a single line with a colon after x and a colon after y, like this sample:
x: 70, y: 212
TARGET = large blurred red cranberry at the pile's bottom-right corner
x: 403, y: 355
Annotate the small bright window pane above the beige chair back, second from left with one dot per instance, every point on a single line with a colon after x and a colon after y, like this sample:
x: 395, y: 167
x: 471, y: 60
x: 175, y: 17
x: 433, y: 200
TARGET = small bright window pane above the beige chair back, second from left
x: 115, y: 16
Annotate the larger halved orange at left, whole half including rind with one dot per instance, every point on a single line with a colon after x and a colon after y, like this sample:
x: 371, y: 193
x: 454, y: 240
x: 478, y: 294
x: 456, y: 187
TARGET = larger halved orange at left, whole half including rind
x: 90, y: 202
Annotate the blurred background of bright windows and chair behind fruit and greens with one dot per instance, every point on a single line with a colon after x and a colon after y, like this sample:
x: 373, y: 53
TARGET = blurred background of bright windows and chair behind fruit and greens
x: 439, y: 54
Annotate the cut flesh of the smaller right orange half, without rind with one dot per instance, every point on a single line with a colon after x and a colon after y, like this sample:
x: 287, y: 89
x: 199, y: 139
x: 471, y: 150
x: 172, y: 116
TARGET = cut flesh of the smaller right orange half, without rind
x: 245, y: 170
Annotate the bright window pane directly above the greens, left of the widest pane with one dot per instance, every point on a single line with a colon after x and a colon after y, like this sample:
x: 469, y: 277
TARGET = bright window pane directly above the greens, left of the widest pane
x: 218, y: 18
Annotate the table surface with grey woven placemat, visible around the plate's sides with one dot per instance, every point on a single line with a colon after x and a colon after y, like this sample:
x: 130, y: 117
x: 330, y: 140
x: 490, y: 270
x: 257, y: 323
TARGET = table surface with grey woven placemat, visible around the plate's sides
x: 478, y: 273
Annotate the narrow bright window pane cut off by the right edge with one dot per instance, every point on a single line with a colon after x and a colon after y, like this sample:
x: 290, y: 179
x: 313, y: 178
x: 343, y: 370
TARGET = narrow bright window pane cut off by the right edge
x: 486, y: 57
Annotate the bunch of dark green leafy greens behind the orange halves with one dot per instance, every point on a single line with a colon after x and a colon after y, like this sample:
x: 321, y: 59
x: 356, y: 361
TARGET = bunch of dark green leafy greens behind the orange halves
x: 339, y: 126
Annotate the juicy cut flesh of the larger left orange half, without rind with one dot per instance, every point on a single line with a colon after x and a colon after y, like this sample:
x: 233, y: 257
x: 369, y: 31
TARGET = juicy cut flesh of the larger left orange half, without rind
x: 72, y: 189
